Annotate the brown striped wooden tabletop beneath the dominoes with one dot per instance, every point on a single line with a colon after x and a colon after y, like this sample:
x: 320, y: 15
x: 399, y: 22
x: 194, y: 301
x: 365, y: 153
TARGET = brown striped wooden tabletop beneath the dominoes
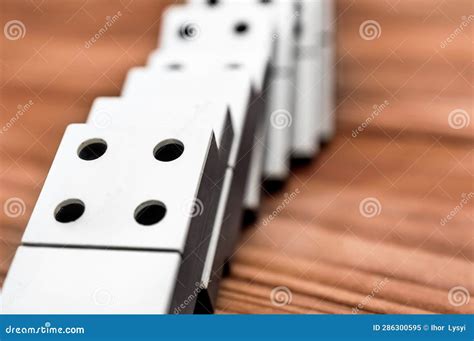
x: 312, y: 244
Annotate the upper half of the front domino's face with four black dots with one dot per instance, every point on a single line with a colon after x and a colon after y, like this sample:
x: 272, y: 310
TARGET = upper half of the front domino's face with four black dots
x: 112, y: 193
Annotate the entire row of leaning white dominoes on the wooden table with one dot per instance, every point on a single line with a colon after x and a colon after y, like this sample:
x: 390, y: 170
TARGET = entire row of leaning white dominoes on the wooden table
x: 142, y: 207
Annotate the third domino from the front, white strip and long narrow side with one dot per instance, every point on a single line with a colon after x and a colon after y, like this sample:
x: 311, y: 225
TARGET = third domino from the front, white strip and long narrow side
x: 194, y: 86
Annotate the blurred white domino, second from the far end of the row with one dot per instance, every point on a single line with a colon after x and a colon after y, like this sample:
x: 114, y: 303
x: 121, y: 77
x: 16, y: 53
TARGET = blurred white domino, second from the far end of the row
x: 281, y: 107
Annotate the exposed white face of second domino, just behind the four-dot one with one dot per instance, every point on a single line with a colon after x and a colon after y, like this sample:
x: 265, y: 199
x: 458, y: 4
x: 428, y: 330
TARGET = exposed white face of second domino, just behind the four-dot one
x: 168, y: 112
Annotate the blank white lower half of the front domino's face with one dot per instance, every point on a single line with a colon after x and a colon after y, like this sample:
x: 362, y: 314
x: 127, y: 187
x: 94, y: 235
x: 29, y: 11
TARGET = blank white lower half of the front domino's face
x: 46, y: 280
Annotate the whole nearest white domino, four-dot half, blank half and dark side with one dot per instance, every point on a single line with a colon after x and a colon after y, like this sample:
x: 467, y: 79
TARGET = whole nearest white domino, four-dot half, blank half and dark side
x: 108, y: 206
